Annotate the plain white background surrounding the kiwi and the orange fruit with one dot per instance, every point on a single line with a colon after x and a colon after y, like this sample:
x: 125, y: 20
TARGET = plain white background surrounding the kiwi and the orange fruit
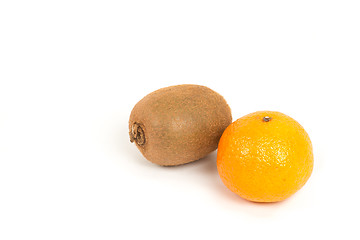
x: 71, y: 71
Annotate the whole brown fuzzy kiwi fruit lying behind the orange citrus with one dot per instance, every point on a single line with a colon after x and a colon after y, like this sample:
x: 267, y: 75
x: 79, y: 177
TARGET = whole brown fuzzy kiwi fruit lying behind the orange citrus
x: 179, y: 124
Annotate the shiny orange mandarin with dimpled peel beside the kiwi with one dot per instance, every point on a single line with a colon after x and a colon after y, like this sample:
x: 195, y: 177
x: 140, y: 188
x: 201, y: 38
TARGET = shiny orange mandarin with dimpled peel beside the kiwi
x: 265, y: 156
